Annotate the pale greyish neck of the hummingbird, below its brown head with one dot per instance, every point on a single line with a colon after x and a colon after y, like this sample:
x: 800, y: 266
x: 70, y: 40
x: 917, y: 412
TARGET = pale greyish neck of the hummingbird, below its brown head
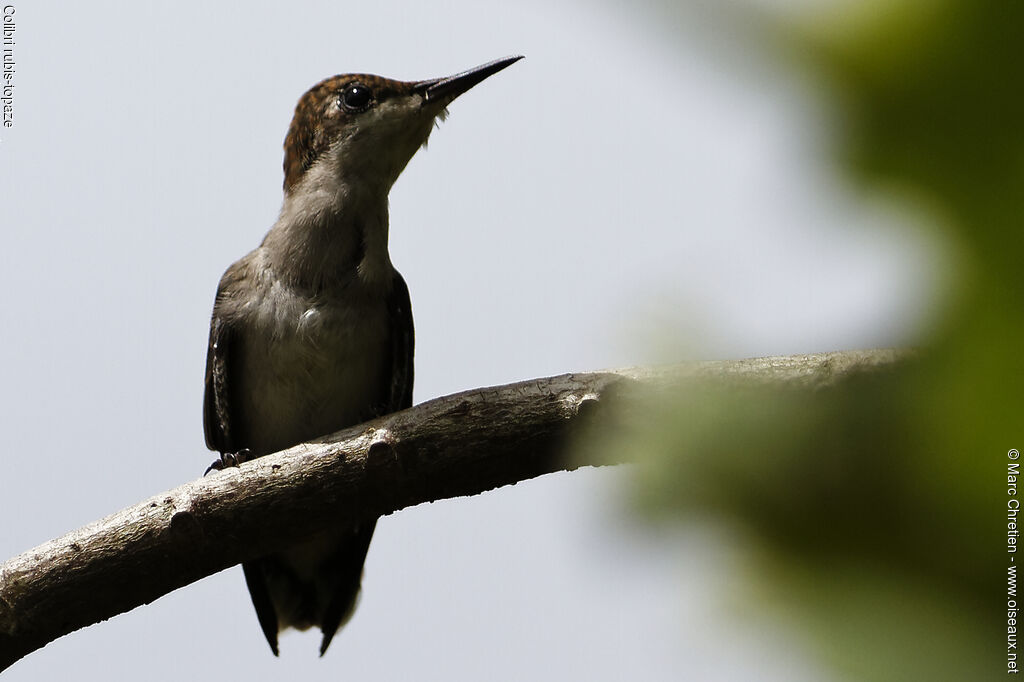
x: 331, y: 235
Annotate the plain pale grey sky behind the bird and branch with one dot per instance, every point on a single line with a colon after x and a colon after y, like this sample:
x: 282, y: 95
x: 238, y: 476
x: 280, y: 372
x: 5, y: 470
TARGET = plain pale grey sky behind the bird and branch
x: 632, y: 192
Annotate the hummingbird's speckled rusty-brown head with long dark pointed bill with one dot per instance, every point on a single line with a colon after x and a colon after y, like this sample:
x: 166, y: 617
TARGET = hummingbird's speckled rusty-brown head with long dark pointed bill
x: 359, y: 130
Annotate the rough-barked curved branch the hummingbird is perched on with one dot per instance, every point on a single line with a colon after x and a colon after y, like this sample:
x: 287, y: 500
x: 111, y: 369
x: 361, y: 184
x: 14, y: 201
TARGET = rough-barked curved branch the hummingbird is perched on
x: 455, y: 446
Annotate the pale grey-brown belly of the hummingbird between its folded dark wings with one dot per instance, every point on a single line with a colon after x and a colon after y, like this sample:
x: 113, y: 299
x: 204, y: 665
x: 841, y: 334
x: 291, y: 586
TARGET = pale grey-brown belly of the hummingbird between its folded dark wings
x: 312, y: 366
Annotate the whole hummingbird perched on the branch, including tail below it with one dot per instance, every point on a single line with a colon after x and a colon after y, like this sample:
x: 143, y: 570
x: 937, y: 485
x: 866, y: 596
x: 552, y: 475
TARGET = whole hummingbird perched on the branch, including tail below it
x: 313, y: 332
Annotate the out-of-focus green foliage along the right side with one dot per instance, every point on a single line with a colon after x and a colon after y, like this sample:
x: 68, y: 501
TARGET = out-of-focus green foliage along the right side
x: 872, y: 509
